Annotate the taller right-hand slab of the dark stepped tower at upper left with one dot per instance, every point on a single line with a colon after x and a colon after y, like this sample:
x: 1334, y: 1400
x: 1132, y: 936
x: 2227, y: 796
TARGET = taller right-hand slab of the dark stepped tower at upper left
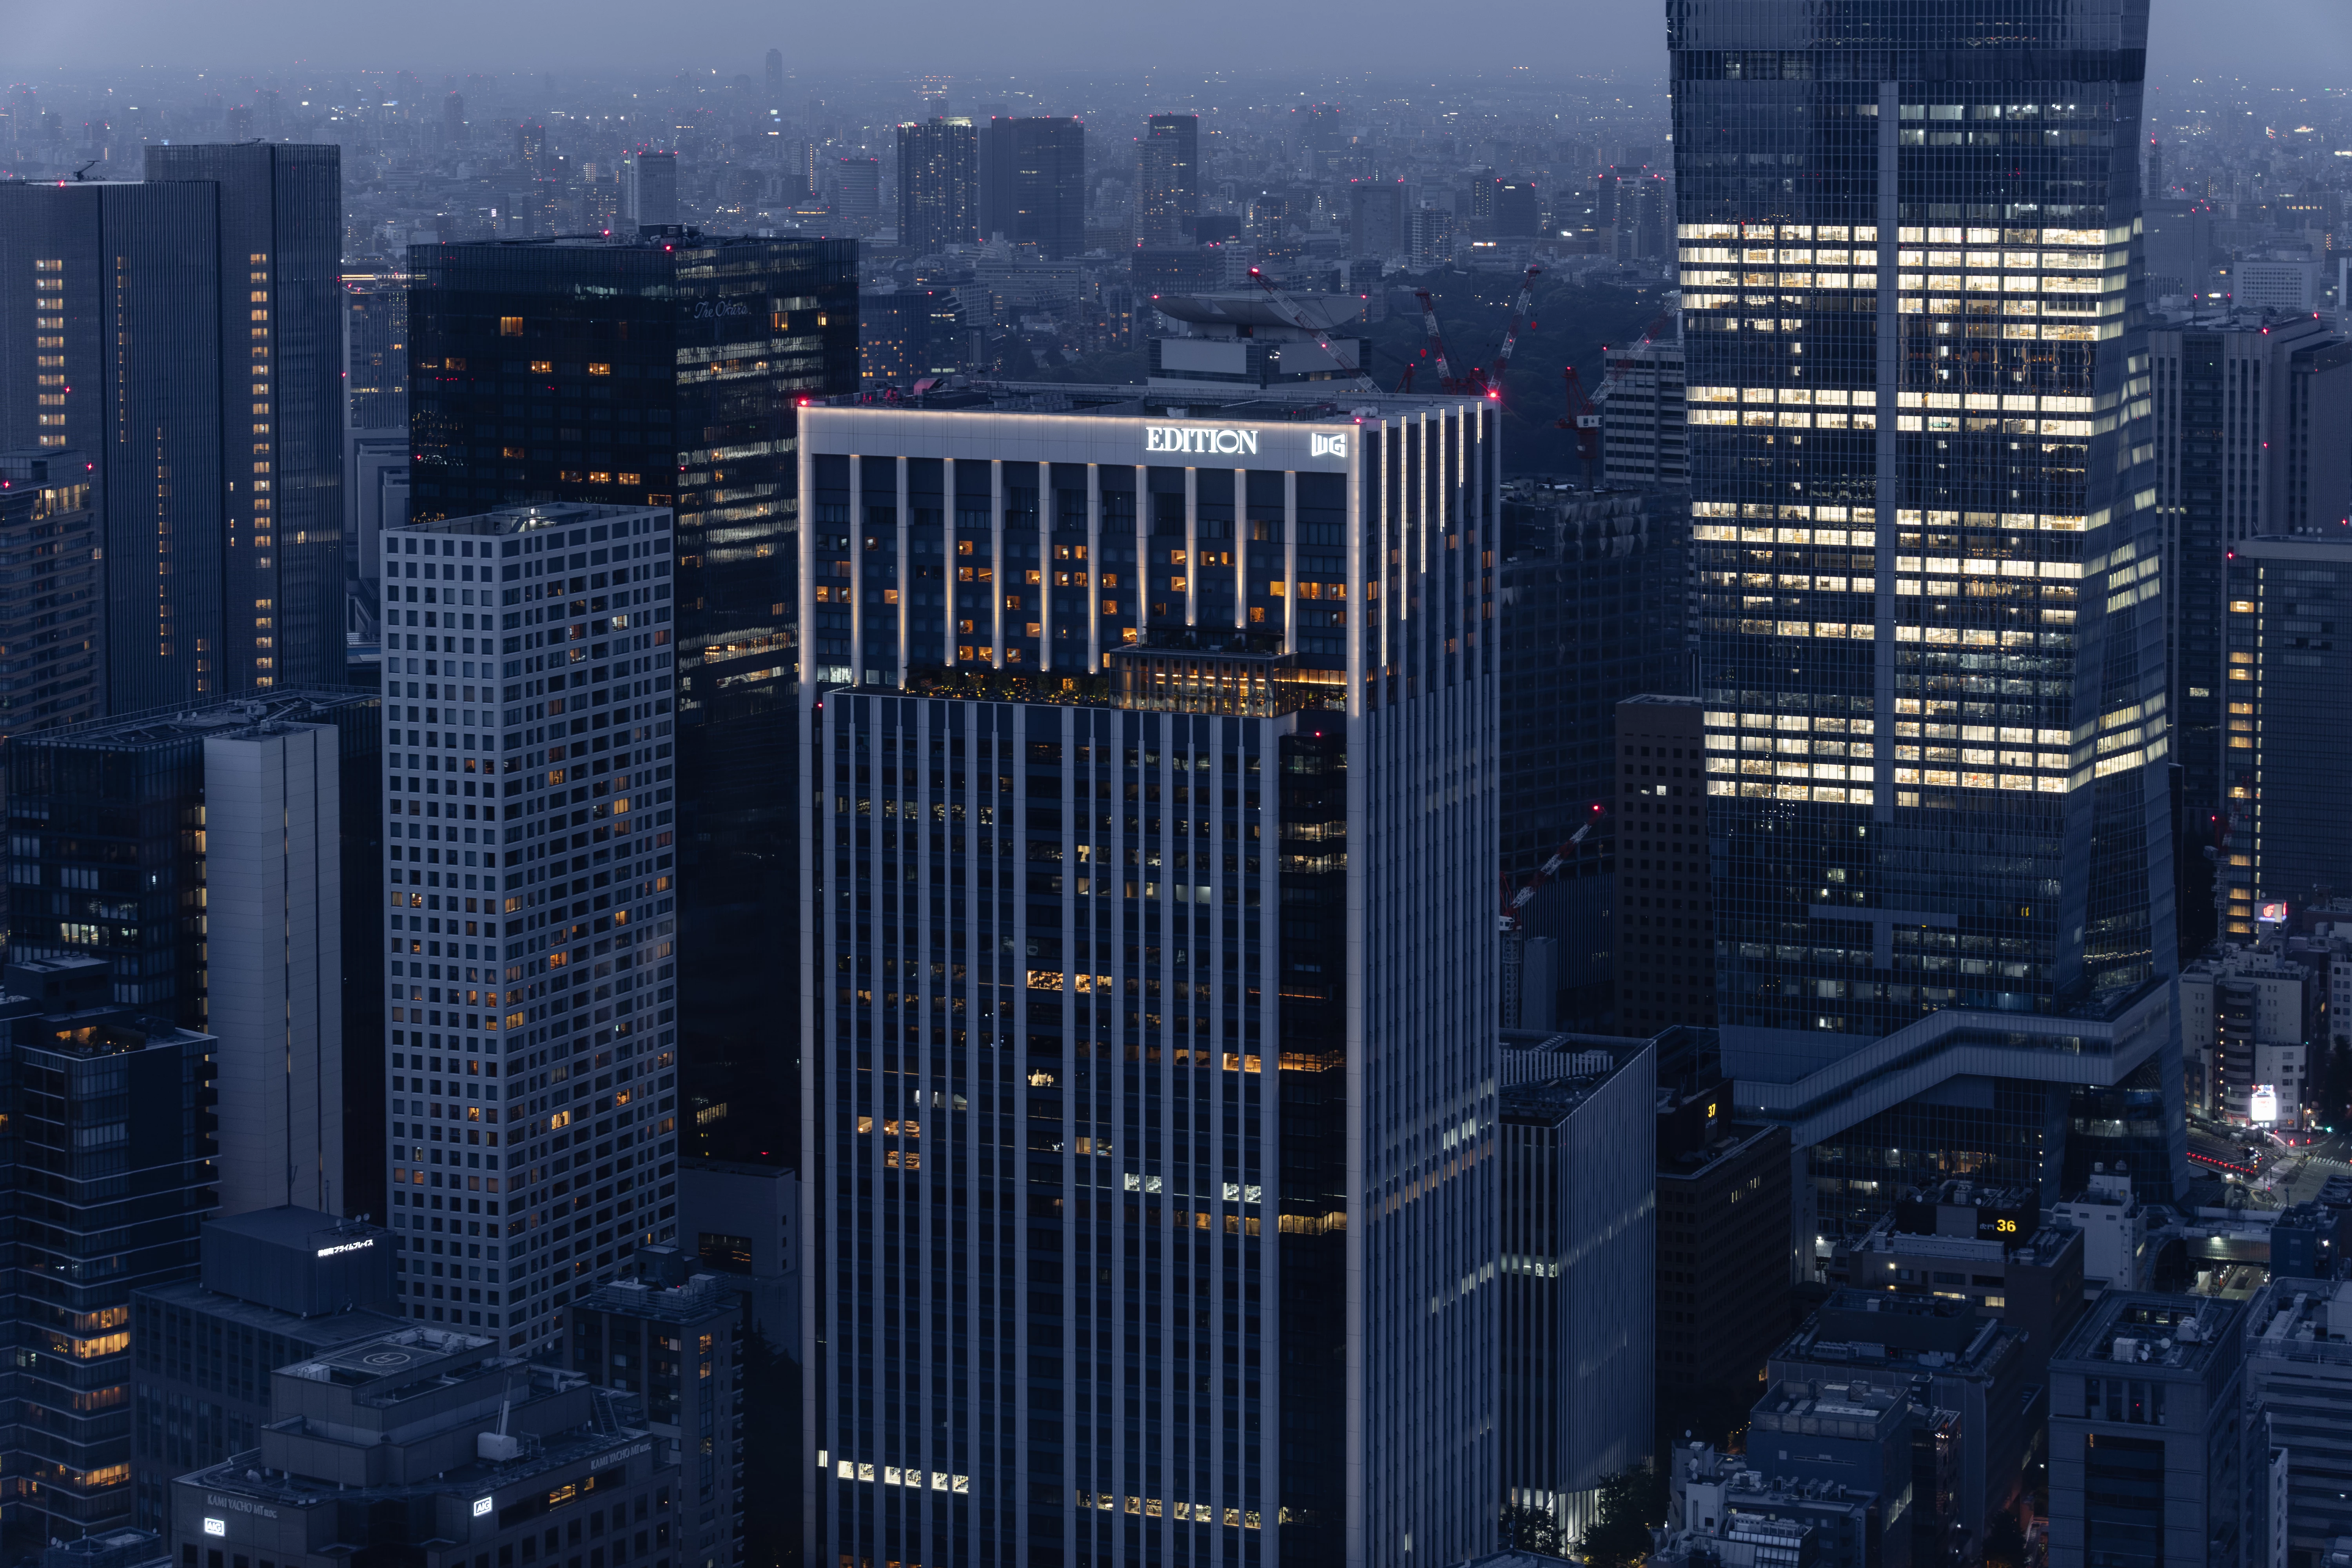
x: 281, y: 389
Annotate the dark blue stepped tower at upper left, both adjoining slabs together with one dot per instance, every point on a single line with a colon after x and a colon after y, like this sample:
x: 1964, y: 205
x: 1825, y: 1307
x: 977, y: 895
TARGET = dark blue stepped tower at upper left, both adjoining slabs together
x: 140, y: 330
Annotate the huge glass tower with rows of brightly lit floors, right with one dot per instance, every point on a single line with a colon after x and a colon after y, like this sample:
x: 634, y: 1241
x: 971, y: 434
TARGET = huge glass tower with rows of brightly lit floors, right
x: 1932, y: 648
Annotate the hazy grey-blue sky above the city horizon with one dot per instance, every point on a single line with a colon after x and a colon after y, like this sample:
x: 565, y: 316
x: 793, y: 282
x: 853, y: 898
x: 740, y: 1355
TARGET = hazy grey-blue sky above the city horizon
x: 2276, y: 41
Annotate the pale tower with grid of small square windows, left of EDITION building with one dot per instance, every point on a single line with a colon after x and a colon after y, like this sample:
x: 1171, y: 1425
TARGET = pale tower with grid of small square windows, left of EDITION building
x: 533, y: 967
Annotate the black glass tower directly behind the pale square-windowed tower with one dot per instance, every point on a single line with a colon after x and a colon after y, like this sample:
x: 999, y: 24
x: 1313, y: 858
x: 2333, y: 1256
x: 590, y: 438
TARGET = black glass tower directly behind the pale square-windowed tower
x: 664, y: 373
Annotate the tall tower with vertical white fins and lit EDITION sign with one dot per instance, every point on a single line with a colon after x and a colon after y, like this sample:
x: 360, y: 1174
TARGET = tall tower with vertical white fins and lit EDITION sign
x: 1149, y: 946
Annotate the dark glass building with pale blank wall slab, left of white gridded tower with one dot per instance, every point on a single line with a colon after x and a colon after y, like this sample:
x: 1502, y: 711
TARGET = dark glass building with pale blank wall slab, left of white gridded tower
x: 262, y: 817
